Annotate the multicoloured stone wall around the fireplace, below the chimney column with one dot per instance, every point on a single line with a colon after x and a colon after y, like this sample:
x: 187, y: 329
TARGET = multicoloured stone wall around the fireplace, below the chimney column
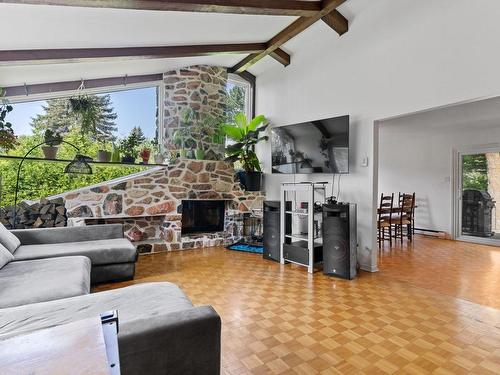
x: 151, y: 203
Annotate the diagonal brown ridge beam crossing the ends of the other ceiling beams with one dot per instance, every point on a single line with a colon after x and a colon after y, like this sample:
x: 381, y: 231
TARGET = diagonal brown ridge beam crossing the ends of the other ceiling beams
x: 286, y: 34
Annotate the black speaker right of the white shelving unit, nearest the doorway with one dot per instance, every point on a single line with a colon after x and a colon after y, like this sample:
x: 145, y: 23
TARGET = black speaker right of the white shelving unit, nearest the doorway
x: 339, y: 240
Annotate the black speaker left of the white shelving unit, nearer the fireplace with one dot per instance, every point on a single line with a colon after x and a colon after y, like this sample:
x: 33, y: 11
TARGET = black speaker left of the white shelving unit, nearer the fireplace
x: 272, y: 230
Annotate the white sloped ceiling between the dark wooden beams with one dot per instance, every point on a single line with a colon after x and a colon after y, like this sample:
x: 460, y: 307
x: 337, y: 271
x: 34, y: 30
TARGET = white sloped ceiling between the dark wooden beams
x: 43, y: 27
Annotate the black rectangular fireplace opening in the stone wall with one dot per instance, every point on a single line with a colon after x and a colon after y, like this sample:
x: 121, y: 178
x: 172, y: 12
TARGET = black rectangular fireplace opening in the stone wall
x: 202, y: 216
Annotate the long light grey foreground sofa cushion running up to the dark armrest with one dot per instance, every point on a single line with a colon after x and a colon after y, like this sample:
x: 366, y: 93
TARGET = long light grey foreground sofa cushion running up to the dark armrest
x: 133, y: 303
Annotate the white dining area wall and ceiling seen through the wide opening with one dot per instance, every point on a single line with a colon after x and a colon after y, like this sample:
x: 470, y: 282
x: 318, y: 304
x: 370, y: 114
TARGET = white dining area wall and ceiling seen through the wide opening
x: 416, y: 155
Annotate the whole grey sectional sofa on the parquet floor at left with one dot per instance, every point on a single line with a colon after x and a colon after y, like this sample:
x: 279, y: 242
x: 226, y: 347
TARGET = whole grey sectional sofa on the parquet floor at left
x: 45, y: 281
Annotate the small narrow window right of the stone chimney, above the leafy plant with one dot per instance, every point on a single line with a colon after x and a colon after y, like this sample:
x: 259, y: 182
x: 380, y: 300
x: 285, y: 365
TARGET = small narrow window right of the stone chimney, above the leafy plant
x: 239, y: 96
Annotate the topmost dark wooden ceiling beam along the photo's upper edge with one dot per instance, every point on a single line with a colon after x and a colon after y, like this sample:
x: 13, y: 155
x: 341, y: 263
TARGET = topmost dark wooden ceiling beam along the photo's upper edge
x: 262, y: 7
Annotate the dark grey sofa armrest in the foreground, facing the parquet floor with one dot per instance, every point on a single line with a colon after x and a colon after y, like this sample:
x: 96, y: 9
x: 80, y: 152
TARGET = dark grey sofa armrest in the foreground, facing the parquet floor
x: 182, y: 342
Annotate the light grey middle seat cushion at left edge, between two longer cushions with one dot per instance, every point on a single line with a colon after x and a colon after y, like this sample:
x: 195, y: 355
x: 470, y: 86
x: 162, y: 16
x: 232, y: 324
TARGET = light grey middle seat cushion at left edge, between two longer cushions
x: 43, y: 280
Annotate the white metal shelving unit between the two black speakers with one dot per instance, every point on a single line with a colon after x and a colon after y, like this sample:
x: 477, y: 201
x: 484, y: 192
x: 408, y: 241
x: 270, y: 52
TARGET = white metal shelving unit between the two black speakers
x: 299, y: 248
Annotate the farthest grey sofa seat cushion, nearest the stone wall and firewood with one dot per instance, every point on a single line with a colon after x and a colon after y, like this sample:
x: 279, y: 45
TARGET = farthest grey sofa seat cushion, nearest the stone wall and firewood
x: 118, y: 250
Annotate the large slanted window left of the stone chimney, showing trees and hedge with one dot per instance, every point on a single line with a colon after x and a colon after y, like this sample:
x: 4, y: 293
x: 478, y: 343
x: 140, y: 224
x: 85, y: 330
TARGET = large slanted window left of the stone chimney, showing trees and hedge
x: 133, y: 110
